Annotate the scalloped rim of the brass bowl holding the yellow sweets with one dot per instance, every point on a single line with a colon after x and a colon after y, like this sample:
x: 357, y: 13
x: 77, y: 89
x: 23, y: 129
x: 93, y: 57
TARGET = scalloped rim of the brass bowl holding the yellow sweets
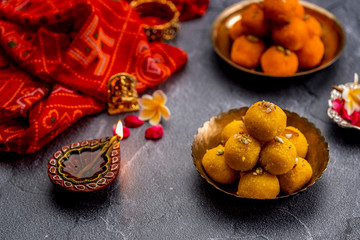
x: 236, y: 110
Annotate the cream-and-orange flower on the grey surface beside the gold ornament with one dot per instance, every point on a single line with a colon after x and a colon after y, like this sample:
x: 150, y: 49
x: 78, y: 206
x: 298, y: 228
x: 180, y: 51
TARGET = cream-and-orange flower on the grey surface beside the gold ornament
x: 153, y: 107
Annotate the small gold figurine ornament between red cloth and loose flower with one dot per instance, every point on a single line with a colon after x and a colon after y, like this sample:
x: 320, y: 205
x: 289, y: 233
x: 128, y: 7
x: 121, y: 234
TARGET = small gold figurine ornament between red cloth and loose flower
x: 122, y: 94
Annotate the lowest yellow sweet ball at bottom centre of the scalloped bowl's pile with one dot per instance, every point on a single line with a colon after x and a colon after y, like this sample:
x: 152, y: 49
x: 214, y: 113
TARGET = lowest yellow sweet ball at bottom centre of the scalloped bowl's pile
x: 258, y: 184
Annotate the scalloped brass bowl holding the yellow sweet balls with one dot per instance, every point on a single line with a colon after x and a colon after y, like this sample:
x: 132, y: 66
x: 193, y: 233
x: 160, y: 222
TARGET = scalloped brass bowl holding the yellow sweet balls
x: 208, y: 136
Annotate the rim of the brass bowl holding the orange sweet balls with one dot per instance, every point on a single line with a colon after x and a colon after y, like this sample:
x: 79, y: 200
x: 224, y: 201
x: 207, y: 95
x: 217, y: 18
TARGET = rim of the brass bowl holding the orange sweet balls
x: 240, y: 5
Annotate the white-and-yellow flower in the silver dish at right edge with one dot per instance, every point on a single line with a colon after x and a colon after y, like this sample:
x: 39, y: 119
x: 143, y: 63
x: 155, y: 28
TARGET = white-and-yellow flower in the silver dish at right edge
x: 351, y: 97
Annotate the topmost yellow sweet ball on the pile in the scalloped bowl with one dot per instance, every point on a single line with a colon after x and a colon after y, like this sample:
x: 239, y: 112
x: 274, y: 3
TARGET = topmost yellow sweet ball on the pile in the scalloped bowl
x: 265, y: 120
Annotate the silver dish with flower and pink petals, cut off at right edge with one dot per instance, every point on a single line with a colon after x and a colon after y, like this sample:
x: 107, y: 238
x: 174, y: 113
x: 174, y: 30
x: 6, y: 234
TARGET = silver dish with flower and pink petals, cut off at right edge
x: 344, y: 104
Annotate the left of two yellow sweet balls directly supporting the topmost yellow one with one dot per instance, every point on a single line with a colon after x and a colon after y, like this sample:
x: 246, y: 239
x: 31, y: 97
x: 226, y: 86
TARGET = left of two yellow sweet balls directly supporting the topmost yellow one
x: 242, y: 152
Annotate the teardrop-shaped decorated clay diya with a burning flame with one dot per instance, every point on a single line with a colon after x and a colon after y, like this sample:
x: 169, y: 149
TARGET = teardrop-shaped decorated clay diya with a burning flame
x: 87, y: 166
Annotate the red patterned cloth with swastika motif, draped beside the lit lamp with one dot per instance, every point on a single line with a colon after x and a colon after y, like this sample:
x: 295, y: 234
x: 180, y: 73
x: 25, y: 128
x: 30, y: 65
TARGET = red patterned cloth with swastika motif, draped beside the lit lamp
x: 56, y: 58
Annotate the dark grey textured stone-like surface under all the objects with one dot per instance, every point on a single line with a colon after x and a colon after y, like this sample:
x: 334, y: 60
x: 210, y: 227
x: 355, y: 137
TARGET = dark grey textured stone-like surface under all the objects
x: 160, y: 195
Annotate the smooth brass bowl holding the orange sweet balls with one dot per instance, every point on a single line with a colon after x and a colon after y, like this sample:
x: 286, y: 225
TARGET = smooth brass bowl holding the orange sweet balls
x: 333, y: 36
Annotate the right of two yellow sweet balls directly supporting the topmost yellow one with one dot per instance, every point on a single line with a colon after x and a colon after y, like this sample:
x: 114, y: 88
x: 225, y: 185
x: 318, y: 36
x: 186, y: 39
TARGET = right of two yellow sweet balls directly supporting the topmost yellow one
x: 278, y: 156
